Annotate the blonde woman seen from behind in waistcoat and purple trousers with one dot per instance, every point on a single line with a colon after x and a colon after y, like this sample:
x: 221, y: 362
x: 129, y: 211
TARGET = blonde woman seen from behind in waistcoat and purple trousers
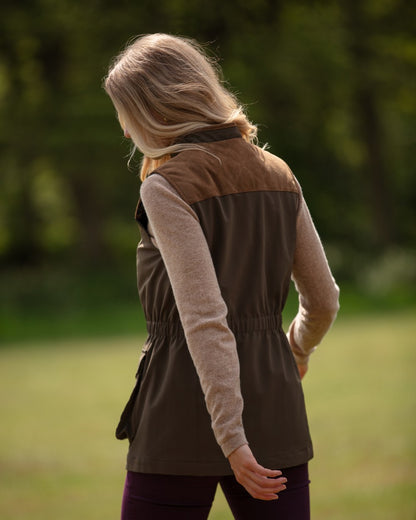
x: 224, y: 226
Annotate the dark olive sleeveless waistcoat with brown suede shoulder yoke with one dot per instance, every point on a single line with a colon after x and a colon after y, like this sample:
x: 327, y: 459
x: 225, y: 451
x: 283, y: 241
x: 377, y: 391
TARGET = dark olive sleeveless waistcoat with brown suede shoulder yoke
x: 246, y: 201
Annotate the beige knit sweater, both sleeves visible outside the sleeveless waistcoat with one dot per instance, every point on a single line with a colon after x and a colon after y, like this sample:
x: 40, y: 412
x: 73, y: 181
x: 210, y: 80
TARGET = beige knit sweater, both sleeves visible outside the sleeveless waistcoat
x: 175, y: 230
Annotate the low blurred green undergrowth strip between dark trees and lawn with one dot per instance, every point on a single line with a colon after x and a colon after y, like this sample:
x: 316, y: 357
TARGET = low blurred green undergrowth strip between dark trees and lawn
x: 50, y: 305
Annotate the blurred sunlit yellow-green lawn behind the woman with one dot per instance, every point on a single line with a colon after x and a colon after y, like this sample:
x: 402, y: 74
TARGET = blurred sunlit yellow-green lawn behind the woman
x: 60, y: 402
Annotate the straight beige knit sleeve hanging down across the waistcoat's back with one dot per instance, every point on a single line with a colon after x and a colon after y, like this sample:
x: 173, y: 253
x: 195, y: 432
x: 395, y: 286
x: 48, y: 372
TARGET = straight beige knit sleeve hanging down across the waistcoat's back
x: 178, y: 235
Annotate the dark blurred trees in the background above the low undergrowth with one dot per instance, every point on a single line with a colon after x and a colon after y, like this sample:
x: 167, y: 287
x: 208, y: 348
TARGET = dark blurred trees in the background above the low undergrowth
x: 331, y: 85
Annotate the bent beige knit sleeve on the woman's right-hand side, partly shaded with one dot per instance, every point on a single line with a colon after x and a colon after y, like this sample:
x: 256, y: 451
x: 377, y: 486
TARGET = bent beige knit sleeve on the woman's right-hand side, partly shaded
x: 318, y: 292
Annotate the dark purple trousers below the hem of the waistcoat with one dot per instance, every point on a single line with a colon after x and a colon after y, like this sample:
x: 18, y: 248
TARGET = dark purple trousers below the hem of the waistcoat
x: 168, y: 497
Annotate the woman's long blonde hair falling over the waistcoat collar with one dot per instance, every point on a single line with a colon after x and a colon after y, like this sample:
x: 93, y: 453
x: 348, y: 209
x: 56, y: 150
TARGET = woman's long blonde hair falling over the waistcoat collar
x: 164, y: 87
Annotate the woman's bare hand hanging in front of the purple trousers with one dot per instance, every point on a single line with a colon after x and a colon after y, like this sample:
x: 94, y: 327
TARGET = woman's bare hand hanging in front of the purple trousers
x: 260, y: 482
